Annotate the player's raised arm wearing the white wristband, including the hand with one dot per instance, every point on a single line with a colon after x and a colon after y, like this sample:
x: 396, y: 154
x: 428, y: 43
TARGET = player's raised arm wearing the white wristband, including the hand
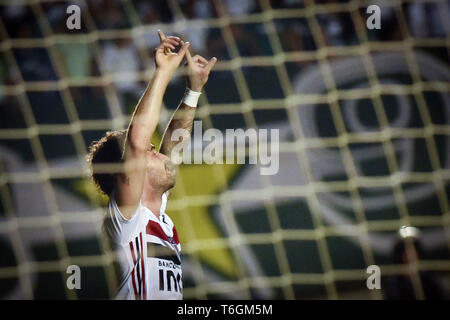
x: 198, y: 69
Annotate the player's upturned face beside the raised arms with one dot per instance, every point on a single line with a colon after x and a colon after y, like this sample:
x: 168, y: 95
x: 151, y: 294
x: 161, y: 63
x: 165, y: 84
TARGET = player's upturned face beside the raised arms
x: 160, y: 170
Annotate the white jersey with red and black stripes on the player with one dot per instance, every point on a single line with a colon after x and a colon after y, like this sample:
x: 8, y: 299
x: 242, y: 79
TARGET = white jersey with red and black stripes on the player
x: 149, y: 253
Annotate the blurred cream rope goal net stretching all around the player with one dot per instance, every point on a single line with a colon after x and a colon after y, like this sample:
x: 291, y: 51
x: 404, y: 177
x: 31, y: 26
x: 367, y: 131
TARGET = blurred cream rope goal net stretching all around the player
x: 363, y: 116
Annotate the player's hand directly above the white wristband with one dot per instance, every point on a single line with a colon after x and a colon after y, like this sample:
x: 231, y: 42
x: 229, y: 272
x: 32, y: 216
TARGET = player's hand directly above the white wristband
x: 198, y: 70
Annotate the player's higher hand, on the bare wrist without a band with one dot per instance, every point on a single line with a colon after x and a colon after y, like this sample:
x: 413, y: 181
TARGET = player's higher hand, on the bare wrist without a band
x: 165, y: 58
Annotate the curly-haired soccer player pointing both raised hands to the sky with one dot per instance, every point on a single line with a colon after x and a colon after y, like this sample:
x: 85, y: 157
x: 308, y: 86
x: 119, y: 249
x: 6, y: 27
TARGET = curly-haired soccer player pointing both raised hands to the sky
x: 127, y: 168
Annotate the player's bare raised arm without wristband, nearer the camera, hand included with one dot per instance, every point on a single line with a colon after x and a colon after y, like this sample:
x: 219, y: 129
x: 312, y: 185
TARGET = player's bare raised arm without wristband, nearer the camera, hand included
x: 129, y: 183
